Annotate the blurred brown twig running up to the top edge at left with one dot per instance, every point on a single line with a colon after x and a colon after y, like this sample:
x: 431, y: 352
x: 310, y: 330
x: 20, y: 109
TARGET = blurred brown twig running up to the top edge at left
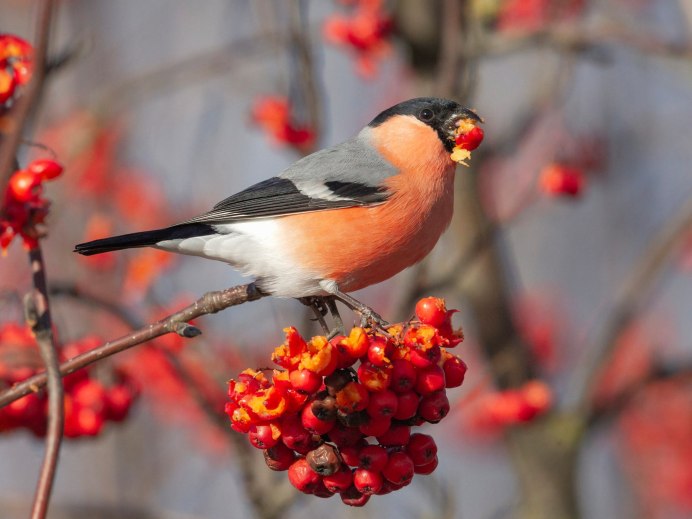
x: 19, y: 114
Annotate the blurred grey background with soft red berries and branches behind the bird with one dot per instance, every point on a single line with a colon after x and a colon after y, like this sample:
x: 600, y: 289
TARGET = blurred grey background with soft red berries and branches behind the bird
x: 569, y: 256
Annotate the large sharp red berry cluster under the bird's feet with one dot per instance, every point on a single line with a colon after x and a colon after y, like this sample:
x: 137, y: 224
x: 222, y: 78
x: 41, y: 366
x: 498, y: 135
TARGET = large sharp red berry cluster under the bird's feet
x: 314, y: 418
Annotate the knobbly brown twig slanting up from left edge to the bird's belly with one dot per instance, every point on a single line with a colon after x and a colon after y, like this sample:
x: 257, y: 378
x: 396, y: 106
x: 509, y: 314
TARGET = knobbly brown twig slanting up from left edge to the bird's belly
x: 209, y: 303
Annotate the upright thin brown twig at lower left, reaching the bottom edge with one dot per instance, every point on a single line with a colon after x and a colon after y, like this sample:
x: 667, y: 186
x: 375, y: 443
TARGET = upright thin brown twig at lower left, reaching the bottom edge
x: 38, y: 317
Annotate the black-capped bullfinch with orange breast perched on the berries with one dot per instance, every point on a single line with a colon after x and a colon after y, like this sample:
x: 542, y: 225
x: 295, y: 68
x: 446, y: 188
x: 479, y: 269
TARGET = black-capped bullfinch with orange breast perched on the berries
x: 337, y: 220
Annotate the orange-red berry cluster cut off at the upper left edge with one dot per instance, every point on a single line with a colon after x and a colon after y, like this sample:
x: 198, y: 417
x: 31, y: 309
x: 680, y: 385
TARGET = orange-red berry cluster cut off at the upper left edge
x: 15, y: 67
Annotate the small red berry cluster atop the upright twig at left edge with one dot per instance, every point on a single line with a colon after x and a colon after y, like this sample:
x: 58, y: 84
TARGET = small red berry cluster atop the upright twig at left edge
x: 24, y: 205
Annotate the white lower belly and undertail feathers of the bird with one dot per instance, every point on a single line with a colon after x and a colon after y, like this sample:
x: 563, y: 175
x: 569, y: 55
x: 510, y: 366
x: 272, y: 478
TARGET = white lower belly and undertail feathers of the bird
x: 254, y: 247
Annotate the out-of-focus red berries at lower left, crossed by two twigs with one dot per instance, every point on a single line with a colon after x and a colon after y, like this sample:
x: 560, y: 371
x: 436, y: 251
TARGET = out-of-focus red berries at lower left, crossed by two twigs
x: 89, y: 403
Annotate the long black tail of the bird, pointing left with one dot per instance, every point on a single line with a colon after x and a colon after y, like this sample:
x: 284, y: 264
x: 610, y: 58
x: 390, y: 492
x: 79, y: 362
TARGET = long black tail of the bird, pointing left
x: 143, y: 239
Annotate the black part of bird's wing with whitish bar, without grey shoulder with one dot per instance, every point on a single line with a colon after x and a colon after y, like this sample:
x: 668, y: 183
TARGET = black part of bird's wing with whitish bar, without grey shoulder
x: 279, y: 196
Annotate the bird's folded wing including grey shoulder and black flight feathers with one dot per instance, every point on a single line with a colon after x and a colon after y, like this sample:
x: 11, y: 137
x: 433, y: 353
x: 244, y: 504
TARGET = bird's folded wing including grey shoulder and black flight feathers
x: 347, y: 175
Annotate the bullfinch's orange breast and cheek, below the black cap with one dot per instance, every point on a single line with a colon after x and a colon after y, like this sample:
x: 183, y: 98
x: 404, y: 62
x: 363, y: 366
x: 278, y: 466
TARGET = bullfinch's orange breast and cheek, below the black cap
x: 360, y: 246
